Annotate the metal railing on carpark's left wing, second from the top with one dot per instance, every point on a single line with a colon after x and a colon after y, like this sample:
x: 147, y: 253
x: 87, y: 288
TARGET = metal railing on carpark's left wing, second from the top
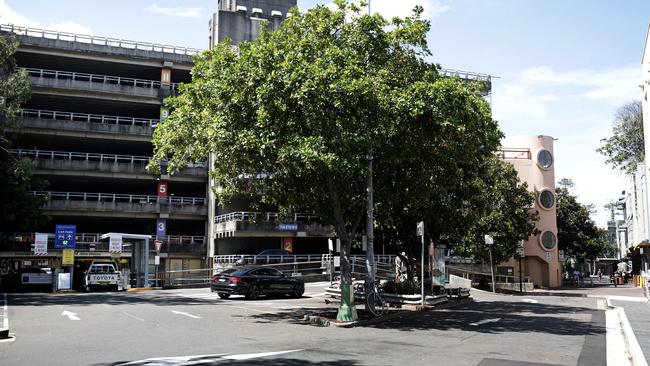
x: 96, y: 78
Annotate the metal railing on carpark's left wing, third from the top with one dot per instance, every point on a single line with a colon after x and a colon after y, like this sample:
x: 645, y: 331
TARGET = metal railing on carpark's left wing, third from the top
x: 92, y: 118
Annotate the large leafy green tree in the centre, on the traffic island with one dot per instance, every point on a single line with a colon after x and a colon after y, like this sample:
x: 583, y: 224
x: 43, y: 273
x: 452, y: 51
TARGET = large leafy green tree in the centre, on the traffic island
x: 293, y: 117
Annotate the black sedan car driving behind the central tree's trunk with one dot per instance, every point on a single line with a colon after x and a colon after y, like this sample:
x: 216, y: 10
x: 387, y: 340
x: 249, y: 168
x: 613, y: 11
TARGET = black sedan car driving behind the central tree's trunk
x: 253, y: 281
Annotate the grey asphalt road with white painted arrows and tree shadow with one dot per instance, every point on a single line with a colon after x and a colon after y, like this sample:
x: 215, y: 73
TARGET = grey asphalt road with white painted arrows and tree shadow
x: 196, y: 327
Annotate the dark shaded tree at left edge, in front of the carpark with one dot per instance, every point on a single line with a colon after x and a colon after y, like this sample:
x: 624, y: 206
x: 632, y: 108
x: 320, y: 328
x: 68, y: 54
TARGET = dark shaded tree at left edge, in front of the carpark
x: 19, y: 209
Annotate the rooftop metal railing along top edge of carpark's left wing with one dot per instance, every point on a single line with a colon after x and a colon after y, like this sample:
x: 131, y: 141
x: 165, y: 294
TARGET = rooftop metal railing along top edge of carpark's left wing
x: 97, y: 40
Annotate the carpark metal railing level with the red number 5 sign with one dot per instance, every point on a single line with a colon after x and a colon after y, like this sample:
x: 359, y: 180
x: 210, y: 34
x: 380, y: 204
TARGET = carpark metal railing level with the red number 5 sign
x: 119, y: 198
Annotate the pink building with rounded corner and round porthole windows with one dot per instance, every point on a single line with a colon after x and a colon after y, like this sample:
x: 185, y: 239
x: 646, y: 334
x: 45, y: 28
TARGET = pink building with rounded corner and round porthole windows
x: 533, y: 158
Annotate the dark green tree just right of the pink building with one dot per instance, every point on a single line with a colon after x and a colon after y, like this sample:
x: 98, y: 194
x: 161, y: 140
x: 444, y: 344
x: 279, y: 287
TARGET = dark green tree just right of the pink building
x: 577, y: 233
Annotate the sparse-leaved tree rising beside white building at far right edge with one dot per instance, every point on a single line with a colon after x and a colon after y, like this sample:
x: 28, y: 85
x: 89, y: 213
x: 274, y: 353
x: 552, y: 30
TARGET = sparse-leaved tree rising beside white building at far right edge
x: 625, y: 148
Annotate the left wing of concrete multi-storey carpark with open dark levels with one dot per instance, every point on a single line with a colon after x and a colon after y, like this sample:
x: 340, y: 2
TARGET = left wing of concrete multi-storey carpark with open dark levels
x: 87, y: 128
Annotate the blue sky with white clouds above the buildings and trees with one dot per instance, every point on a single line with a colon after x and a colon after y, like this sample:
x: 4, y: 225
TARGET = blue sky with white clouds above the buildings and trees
x: 563, y: 66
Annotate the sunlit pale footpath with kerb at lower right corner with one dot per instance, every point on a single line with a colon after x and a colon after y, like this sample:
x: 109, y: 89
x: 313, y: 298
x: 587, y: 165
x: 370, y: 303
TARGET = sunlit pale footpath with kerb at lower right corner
x: 634, y: 304
